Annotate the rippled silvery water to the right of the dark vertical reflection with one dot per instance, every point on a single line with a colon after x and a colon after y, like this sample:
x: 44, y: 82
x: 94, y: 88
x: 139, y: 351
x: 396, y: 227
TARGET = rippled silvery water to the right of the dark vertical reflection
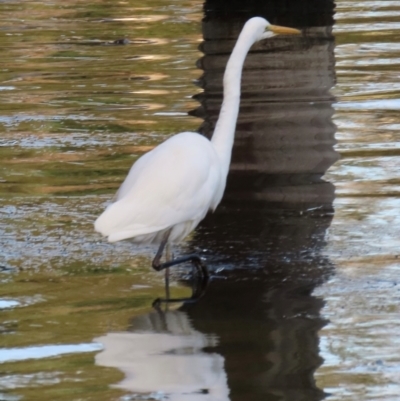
x: 359, y: 344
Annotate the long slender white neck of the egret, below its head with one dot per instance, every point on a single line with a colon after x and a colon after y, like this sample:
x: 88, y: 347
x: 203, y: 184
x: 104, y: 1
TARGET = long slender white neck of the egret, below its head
x: 224, y: 132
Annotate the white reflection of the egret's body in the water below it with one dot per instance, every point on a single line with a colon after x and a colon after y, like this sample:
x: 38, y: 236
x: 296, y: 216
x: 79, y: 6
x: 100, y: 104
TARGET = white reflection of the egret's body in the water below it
x: 167, y: 361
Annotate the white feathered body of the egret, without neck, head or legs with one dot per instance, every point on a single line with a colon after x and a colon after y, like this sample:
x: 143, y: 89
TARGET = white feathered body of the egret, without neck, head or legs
x: 183, y: 167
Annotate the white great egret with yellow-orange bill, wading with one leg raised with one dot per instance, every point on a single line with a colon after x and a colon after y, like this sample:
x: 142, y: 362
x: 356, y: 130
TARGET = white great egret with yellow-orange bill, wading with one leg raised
x: 170, y: 189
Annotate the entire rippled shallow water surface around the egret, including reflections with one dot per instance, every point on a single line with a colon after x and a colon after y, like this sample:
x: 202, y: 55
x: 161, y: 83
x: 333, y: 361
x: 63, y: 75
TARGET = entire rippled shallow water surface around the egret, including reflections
x: 304, y: 299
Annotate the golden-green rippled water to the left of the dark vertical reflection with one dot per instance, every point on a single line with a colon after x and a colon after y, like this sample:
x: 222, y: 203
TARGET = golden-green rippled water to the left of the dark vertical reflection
x: 77, y: 111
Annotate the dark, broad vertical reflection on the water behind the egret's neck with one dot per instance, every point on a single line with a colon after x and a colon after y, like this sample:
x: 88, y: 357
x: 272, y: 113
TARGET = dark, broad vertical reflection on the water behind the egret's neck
x: 277, y: 206
